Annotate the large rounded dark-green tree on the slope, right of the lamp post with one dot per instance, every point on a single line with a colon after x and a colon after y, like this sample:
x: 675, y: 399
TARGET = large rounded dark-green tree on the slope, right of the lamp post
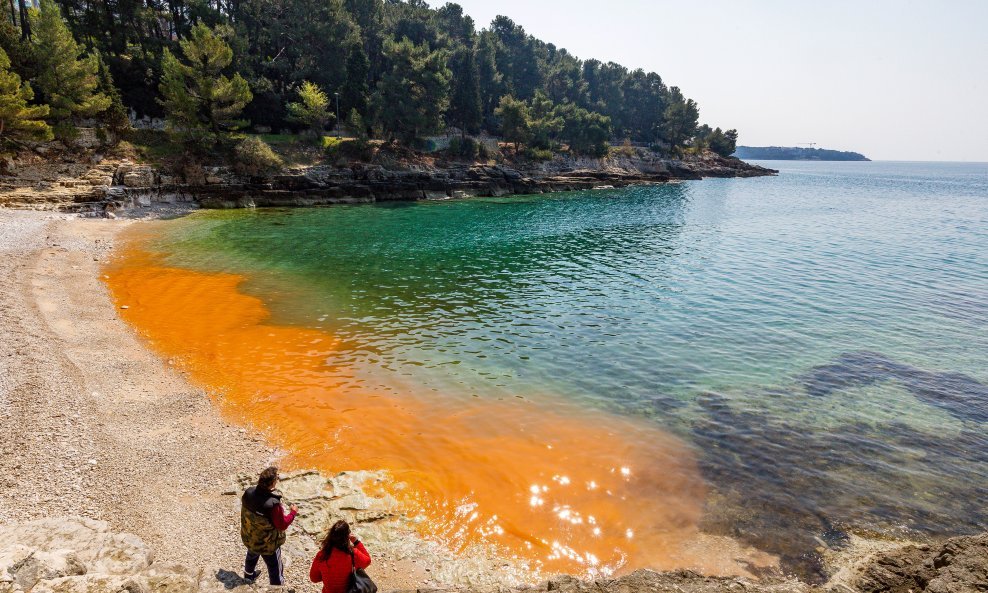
x: 413, y: 95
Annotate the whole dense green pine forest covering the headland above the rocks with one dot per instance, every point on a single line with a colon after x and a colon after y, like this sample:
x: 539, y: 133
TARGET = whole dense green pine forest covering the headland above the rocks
x: 400, y: 67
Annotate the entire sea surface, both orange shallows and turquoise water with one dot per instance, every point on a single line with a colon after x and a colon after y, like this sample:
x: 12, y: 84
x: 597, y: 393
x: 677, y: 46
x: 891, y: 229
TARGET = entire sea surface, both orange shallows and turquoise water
x: 593, y: 380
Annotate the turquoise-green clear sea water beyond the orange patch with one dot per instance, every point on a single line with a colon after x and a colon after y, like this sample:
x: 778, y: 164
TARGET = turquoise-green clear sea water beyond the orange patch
x: 820, y: 336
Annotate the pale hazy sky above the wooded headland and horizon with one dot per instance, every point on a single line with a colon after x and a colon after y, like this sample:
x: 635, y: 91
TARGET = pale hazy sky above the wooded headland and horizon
x: 895, y: 80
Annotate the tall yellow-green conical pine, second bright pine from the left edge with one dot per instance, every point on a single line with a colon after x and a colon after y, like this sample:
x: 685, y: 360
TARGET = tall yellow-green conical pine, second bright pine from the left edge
x: 68, y: 79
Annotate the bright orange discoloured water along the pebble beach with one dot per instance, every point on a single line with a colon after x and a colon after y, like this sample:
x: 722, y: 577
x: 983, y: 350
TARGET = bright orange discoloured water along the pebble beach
x: 572, y: 489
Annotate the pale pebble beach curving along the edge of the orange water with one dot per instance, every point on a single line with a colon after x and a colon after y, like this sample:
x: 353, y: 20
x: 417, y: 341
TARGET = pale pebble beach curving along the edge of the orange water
x: 125, y: 438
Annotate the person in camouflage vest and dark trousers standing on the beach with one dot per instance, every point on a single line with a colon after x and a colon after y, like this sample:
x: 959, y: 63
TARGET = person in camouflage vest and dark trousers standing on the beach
x: 263, y: 523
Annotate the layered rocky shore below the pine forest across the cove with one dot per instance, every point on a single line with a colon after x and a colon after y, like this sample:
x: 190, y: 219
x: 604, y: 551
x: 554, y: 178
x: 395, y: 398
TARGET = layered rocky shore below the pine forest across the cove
x: 111, y: 184
